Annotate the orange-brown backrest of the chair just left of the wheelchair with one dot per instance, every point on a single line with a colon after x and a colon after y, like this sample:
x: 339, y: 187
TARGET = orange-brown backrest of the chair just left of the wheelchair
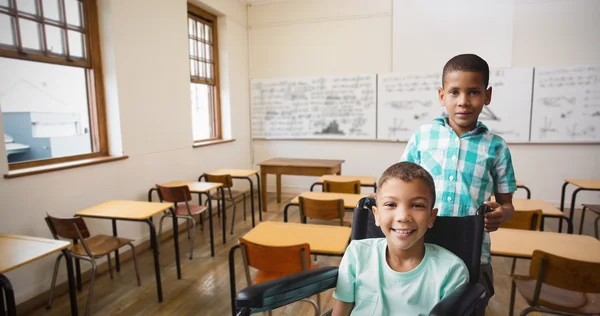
x: 285, y: 260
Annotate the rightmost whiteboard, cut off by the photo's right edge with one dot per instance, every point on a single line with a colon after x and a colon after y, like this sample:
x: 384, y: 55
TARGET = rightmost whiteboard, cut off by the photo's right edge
x: 566, y: 104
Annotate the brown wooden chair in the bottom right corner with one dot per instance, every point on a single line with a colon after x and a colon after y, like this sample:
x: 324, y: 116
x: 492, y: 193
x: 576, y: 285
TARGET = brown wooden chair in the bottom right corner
x: 559, y: 286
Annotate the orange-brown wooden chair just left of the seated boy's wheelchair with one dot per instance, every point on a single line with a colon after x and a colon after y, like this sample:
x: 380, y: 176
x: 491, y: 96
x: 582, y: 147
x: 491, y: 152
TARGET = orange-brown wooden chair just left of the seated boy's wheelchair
x: 275, y: 262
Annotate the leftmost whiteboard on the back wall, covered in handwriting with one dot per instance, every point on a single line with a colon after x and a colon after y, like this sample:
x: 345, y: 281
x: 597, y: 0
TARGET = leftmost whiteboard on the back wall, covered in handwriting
x: 314, y: 107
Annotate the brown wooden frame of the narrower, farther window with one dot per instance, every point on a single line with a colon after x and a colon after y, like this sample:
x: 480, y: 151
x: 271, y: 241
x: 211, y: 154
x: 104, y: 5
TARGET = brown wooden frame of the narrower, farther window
x: 197, y: 13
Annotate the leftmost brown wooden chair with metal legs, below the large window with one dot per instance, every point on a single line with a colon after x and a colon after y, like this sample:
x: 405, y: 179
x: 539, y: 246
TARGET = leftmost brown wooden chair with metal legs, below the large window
x: 87, y: 248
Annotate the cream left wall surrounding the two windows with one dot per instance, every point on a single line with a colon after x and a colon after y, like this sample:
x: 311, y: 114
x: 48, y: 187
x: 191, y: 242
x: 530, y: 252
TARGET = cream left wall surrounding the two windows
x: 147, y: 80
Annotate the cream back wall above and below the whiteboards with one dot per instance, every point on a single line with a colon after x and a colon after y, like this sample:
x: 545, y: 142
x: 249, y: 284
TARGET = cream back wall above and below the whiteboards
x: 338, y: 37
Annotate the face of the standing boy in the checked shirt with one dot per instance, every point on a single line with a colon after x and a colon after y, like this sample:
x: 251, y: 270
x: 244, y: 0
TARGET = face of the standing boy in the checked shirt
x: 464, y: 95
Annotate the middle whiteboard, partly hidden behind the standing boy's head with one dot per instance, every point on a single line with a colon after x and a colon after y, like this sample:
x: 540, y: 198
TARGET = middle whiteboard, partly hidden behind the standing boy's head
x: 407, y: 101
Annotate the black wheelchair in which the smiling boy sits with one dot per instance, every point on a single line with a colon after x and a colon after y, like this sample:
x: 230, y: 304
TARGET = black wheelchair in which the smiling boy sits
x: 461, y: 235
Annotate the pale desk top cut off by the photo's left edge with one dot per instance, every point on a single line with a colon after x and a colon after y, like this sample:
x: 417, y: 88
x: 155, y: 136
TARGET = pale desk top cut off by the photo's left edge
x: 18, y: 250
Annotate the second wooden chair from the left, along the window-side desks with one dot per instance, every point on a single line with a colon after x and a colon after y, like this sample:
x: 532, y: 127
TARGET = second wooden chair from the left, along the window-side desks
x: 180, y: 196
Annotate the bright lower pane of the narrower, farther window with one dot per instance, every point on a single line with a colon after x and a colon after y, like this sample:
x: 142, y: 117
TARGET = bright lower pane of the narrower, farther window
x: 202, y: 104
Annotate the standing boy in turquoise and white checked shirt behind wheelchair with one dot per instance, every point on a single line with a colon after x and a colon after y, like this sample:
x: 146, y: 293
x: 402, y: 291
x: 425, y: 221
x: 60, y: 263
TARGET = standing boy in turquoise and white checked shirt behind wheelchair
x: 467, y: 162
